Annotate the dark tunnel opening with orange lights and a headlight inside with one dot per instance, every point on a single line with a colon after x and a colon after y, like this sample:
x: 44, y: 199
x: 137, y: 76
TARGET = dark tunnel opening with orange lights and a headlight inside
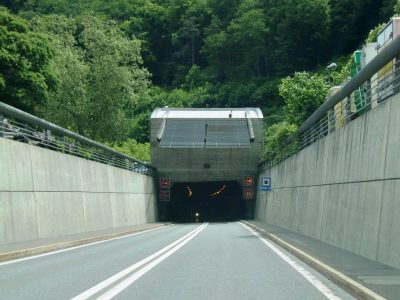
x: 206, y: 201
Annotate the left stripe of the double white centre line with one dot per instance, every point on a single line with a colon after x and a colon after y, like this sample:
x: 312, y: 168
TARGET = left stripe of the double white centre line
x: 102, y: 285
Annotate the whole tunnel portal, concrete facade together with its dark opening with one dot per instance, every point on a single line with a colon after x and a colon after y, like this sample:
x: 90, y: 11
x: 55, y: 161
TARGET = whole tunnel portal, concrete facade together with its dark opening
x: 205, y: 156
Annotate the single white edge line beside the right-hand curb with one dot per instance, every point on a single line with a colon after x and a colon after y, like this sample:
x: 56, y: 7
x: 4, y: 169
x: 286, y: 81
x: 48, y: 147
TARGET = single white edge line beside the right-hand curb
x: 305, y: 273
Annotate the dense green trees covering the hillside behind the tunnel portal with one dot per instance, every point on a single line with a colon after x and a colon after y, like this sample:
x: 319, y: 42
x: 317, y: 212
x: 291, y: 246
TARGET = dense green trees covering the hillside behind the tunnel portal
x: 100, y: 67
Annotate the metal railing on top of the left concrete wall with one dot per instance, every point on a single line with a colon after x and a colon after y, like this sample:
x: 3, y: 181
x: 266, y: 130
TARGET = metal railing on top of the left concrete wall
x: 23, y: 127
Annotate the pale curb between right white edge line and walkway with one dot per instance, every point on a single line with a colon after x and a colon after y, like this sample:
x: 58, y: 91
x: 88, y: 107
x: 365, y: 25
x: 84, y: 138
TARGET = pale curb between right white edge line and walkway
x: 346, y: 283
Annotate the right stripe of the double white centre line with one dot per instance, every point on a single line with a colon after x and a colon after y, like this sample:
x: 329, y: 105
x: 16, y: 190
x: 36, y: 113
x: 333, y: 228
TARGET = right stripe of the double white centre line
x: 131, y: 279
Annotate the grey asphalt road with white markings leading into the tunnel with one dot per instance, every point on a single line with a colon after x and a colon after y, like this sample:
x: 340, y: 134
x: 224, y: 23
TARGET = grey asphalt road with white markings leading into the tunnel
x: 186, y: 261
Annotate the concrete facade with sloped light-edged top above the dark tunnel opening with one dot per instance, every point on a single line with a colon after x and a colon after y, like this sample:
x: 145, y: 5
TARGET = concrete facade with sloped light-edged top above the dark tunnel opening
x: 204, y: 145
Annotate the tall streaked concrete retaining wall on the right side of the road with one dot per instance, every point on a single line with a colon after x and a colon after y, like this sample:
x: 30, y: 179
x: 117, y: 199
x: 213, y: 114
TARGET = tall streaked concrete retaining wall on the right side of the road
x: 345, y: 188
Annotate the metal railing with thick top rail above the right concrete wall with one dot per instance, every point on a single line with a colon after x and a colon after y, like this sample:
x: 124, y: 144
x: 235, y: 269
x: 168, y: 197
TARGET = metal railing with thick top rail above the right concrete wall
x: 376, y: 82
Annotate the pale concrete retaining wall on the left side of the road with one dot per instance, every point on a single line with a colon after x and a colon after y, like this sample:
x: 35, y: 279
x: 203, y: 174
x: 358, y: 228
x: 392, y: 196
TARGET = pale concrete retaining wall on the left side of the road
x: 45, y: 194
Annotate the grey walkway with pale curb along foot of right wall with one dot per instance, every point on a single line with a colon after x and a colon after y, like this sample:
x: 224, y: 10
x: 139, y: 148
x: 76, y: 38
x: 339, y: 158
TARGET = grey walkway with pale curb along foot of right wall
x: 341, y: 267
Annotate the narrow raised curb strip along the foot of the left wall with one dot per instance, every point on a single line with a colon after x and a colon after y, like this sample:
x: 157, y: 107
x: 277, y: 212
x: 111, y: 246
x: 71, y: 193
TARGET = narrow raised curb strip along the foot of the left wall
x: 8, y: 256
